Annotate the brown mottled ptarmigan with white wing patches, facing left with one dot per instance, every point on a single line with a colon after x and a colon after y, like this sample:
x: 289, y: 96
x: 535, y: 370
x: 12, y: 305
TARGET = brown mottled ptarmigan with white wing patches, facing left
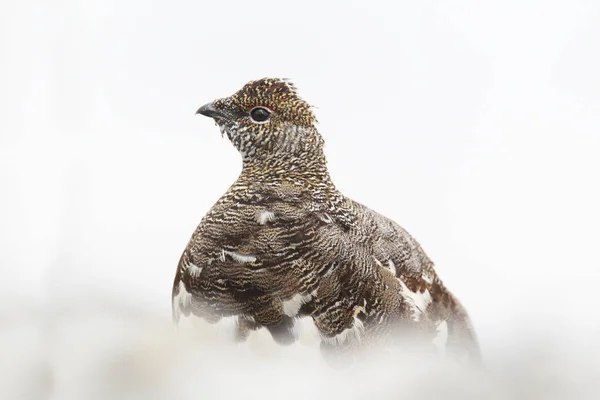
x: 284, y: 244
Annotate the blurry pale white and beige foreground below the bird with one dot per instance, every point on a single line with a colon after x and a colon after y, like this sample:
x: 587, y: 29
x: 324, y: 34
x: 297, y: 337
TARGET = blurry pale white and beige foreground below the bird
x: 99, y: 348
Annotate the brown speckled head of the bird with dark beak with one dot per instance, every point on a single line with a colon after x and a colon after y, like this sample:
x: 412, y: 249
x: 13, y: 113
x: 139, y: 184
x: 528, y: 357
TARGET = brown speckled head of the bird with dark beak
x: 266, y: 118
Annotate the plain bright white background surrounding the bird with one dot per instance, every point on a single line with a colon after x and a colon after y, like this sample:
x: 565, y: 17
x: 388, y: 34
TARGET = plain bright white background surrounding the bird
x: 475, y: 125
